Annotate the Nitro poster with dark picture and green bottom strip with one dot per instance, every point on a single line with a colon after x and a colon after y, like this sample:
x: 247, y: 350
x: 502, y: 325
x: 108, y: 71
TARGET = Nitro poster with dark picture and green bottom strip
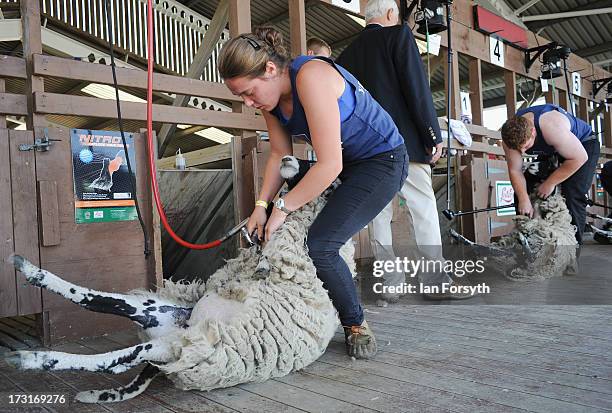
x: 102, y: 185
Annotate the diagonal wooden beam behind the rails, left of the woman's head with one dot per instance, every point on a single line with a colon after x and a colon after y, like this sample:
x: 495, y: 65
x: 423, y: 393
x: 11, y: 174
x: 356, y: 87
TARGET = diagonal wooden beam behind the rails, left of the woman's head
x: 211, y: 37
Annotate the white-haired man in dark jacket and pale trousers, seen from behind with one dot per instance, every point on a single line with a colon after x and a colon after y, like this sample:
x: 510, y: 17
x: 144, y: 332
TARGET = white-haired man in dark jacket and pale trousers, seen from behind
x: 386, y: 60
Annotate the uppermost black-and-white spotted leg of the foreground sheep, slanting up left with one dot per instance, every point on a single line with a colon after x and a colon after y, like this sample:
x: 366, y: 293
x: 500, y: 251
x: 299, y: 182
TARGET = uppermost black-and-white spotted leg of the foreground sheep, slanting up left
x: 148, y: 312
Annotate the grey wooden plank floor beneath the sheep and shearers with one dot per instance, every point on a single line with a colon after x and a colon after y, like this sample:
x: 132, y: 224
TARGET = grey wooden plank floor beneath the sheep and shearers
x: 432, y: 358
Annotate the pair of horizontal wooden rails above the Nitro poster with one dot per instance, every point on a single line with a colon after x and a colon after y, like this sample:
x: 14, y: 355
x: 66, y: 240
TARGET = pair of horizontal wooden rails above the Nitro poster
x: 64, y: 104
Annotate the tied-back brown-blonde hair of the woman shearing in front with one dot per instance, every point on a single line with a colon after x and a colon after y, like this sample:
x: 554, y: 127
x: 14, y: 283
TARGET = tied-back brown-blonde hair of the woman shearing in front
x: 247, y: 54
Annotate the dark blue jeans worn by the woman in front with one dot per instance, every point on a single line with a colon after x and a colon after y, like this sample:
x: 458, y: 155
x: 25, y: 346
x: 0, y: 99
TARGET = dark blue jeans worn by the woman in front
x: 368, y: 185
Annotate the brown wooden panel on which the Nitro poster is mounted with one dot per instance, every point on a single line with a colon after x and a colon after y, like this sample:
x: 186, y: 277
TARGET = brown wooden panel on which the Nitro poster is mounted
x: 103, y: 256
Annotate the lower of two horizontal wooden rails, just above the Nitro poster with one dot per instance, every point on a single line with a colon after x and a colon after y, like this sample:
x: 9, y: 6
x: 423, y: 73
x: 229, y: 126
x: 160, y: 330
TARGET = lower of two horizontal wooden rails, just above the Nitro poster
x: 57, y: 104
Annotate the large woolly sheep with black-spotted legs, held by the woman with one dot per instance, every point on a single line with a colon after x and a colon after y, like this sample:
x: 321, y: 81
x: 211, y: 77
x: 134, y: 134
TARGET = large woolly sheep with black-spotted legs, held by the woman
x: 237, y: 327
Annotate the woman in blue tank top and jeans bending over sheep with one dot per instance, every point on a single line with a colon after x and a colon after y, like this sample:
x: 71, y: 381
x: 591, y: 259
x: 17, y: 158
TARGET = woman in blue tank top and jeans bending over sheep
x: 355, y: 140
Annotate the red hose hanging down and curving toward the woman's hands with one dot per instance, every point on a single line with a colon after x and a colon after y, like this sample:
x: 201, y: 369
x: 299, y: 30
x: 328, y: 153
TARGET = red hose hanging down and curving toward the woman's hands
x: 151, y: 149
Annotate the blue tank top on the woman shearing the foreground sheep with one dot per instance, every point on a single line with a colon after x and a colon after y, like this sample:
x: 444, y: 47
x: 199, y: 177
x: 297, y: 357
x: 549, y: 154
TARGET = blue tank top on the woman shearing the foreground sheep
x: 366, y: 128
